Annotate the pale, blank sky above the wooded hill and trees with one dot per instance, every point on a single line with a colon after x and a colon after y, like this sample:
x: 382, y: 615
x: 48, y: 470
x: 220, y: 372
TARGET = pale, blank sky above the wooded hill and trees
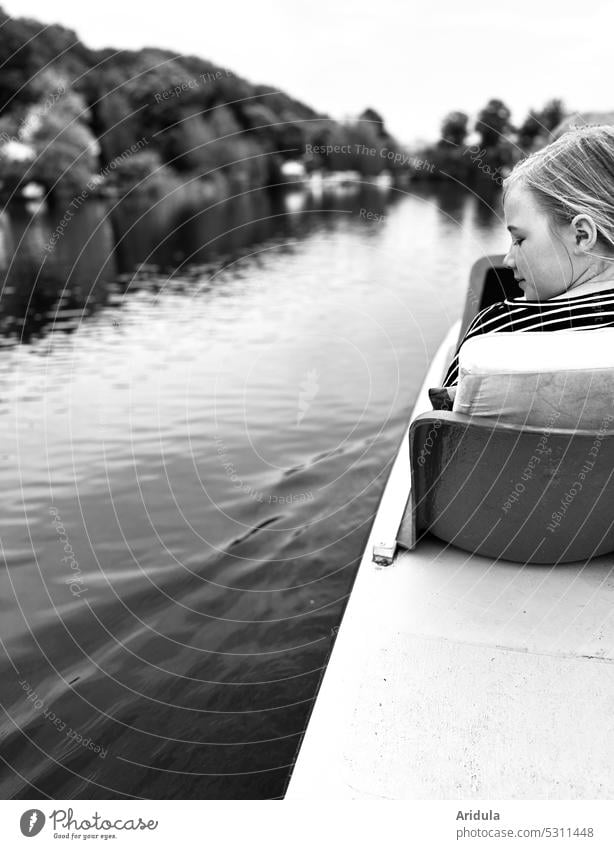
x: 412, y: 62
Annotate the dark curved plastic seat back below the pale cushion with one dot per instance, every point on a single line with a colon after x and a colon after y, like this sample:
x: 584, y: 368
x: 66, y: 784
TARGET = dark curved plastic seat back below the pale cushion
x: 518, y: 492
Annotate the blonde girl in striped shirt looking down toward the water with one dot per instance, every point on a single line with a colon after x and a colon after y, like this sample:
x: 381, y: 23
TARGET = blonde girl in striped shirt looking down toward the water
x: 559, y: 209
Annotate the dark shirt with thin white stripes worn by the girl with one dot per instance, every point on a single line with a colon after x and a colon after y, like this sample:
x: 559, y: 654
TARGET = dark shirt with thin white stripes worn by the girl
x: 582, y: 312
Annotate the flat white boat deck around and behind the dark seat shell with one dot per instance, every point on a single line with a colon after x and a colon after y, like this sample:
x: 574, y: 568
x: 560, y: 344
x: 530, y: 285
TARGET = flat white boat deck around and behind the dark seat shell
x: 454, y: 676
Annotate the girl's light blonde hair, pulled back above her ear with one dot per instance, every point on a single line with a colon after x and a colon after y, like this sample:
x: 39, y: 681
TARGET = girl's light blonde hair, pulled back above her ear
x: 573, y: 175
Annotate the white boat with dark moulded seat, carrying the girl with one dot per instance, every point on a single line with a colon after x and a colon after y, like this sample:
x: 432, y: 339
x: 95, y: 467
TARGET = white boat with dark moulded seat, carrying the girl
x: 470, y: 666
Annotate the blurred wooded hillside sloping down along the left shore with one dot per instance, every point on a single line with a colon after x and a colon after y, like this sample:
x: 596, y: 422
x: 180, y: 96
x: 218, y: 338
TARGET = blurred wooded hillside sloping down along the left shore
x: 68, y: 113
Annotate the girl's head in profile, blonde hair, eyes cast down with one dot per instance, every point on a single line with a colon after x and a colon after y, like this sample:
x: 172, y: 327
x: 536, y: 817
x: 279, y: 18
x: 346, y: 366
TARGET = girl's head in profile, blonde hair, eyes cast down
x: 559, y: 209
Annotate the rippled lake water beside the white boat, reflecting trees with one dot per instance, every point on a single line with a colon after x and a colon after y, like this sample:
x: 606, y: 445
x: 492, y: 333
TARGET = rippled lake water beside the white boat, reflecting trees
x: 198, y: 412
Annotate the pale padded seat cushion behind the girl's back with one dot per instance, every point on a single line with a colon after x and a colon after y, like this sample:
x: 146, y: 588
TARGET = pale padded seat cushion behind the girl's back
x: 562, y: 379
